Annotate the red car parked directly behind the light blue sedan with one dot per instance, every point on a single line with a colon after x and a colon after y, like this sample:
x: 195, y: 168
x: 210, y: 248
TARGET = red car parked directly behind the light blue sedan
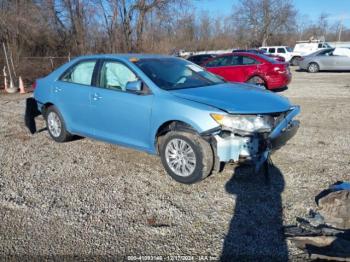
x: 251, y: 68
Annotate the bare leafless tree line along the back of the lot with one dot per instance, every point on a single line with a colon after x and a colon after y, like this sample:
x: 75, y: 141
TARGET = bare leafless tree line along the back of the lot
x: 61, y: 27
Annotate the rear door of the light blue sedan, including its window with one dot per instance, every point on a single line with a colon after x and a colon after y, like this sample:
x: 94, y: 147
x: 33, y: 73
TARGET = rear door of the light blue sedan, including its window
x: 71, y: 95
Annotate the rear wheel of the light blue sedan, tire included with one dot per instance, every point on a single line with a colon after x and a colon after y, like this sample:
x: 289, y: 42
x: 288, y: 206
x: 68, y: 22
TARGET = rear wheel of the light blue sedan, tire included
x: 56, y: 125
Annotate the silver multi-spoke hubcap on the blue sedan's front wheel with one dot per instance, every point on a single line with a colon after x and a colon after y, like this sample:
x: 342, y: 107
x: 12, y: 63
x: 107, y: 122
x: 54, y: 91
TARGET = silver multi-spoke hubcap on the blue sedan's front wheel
x: 180, y: 157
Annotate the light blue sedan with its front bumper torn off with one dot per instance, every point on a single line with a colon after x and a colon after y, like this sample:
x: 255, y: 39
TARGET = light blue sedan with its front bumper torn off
x: 168, y: 106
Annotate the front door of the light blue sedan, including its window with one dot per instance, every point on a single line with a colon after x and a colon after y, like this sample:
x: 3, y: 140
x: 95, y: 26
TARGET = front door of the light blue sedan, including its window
x: 121, y: 116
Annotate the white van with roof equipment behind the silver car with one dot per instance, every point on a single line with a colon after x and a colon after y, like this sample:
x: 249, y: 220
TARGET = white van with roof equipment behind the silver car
x: 305, y: 48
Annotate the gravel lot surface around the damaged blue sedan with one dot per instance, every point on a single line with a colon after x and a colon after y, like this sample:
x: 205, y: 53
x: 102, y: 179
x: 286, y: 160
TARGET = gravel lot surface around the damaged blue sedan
x: 86, y: 198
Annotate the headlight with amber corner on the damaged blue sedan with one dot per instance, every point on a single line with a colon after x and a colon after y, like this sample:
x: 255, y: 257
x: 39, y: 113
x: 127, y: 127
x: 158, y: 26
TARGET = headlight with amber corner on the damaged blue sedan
x: 245, y: 123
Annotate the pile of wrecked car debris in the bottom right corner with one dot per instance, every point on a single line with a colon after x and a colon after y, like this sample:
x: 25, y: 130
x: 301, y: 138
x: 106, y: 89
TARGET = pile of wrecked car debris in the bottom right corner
x: 325, y: 234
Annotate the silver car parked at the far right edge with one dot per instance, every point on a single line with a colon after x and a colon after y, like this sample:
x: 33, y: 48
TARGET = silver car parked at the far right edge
x: 326, y: 59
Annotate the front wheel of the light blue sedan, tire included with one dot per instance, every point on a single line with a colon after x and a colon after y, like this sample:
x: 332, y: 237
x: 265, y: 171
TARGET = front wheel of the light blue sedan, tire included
x: 186, y: 156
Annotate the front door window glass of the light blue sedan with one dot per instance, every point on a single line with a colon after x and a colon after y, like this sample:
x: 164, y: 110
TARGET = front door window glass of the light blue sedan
x: 115, y: 75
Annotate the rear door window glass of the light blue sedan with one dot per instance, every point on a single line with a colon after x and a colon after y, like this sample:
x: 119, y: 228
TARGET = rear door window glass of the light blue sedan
x: 80, y: 73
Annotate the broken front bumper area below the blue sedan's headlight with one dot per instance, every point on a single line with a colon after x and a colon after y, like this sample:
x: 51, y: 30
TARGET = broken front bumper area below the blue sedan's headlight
x: 255, y: 148
